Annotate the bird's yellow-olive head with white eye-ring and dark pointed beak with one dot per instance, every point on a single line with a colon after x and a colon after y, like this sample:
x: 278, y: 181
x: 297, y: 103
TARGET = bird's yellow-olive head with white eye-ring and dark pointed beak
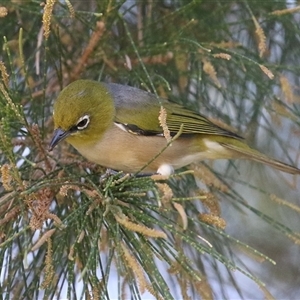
x: 82, y: 113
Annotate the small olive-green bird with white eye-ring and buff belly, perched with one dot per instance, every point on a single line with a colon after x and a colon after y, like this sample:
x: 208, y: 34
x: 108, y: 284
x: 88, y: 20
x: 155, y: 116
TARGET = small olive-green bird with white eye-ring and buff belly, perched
x: 117, y: 126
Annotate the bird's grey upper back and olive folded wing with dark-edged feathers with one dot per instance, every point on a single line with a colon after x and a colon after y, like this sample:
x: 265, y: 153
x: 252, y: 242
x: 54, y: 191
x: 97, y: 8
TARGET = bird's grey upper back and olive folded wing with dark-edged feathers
x: 138, y: 111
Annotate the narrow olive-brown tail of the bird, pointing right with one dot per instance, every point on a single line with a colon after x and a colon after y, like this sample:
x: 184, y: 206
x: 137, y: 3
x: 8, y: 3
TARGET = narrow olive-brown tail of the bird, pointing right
x: 249, y: 153
